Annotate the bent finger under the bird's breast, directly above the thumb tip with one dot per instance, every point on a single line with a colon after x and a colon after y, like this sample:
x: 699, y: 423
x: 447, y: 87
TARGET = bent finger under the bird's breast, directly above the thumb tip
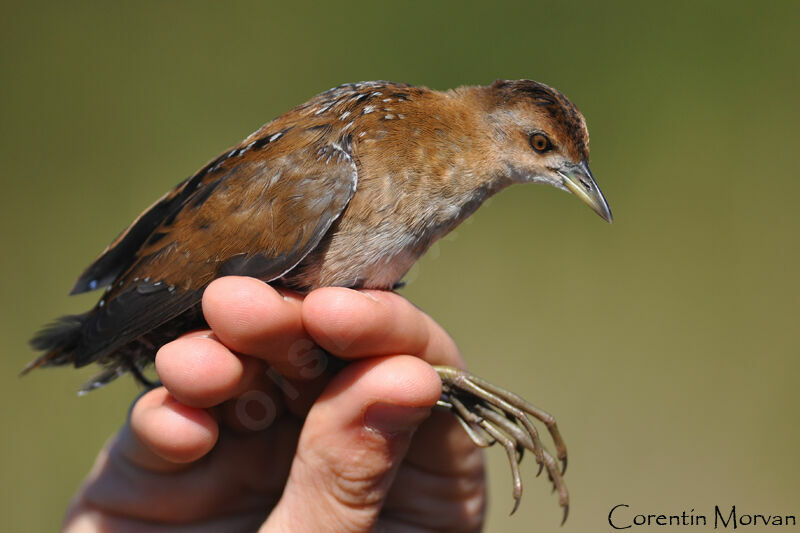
x: 355, y: 324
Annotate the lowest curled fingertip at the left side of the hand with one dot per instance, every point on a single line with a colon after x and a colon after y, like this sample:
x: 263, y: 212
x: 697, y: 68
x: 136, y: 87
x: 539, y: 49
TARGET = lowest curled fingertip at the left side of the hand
x: 163, y: 434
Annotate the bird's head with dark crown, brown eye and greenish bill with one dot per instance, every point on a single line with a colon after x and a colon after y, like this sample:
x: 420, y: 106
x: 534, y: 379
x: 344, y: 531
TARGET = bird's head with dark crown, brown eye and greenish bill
x: 541, y: 137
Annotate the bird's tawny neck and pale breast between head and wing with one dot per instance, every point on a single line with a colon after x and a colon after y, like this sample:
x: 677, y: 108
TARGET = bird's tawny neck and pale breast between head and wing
x: 417, y: 179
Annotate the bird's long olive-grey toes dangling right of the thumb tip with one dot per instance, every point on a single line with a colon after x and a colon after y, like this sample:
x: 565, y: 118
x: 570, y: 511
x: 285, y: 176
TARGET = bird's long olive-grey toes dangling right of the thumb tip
x: 490, y: 414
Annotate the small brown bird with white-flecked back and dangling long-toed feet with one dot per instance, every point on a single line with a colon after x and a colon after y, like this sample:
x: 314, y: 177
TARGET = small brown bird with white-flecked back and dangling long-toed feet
x: 349, y: 190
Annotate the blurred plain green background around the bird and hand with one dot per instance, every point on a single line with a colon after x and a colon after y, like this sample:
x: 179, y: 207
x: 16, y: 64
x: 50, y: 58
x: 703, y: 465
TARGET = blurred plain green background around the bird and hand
x: 666, y: 344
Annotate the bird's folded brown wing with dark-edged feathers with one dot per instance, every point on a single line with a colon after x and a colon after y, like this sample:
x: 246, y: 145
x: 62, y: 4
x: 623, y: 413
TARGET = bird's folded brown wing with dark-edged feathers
x: 245, y: 214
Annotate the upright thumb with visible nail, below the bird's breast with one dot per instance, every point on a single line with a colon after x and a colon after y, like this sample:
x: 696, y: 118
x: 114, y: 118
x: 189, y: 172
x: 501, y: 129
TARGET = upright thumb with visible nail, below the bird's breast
x: 352, y: 442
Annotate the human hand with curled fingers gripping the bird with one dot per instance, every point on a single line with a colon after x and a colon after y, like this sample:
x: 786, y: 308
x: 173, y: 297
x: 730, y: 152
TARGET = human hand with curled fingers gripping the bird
x: 251, y: 429
